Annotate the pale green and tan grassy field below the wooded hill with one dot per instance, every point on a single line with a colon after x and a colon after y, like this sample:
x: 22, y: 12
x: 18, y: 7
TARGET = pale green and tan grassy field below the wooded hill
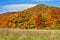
x: 17, y: 34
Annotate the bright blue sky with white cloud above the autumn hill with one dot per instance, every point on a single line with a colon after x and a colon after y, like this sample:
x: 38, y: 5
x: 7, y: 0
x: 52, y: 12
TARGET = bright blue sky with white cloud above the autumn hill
x: 19, y: 5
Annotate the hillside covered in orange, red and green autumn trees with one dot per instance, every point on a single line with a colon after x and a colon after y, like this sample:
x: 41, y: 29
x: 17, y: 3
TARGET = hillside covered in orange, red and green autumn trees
x: 39, y: 17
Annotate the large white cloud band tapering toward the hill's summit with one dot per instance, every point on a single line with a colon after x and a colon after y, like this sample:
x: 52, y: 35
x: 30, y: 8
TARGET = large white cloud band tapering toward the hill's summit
x: 15, y: 7
